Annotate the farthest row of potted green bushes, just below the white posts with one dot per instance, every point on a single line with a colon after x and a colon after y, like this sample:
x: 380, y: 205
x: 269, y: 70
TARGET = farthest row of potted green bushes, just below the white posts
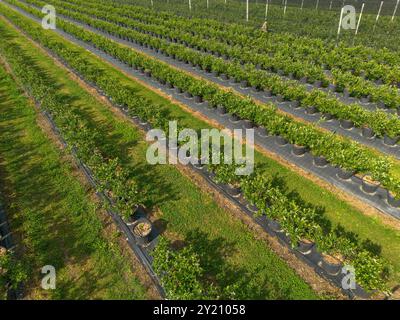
x: 374, y: 64
